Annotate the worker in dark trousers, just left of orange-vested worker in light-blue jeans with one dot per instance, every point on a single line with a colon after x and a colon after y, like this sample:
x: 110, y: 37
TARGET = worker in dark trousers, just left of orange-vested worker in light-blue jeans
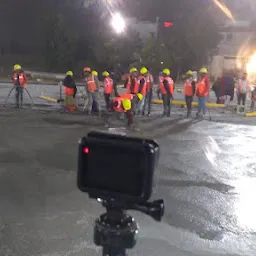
x: 189, y: 91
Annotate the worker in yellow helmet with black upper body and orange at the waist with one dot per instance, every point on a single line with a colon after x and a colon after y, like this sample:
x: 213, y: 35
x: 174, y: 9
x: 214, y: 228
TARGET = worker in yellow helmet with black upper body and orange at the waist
x: 69, y: 91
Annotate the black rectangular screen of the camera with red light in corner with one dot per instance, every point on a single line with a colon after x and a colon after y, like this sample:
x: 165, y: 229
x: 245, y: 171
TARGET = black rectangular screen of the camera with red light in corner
x: 116, y: 169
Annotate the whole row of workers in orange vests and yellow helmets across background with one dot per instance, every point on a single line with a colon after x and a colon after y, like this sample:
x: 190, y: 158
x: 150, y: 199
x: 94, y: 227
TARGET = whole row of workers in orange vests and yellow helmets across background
x: 139, y: 90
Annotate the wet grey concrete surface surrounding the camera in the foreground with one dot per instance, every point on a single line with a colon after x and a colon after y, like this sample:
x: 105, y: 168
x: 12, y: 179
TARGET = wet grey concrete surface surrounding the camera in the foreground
x: 207, y: 176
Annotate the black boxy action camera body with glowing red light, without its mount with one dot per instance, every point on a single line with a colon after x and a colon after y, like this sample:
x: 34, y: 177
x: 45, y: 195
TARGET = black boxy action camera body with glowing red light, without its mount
x: 116, y: 167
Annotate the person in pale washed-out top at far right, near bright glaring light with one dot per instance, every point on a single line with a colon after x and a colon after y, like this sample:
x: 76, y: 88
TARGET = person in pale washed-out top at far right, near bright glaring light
x: 242, y: 90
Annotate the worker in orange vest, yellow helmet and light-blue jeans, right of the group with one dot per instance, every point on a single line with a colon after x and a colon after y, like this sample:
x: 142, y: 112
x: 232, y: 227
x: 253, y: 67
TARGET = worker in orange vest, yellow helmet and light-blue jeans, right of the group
x: 202, y: 91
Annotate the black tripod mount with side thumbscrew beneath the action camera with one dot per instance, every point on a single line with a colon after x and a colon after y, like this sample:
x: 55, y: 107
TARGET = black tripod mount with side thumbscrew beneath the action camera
x: 117, y: 231
